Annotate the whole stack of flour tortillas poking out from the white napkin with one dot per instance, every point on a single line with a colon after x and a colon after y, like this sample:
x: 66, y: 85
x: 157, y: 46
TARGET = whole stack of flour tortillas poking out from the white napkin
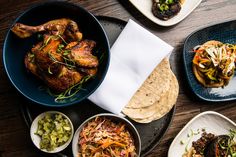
x: 155, y: 97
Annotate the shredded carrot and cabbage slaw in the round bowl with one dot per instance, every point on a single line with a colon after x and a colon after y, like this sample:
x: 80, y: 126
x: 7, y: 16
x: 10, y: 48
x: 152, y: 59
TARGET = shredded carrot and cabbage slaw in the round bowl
x: 103, y: 138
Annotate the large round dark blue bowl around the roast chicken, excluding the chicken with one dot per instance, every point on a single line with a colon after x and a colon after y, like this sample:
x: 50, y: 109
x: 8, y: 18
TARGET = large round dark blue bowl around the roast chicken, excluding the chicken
x: 14, y: 51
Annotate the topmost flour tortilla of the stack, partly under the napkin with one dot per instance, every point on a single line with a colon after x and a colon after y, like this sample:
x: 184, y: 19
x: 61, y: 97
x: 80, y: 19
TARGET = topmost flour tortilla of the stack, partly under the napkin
x: 154, y: 87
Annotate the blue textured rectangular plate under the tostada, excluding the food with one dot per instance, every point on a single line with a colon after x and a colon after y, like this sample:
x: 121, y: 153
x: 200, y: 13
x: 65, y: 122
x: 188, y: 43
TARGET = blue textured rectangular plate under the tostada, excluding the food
x: 224, y: 32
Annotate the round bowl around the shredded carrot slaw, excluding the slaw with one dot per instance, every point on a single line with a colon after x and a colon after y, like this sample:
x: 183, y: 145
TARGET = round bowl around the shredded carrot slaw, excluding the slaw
x: 114, y: 118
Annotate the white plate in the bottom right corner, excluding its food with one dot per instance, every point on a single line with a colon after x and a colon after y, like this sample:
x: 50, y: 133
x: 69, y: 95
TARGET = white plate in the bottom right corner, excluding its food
x: 212, y: 122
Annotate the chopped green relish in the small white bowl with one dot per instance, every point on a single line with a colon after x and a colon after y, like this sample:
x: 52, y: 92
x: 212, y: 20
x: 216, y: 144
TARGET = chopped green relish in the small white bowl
x: 54, y: 131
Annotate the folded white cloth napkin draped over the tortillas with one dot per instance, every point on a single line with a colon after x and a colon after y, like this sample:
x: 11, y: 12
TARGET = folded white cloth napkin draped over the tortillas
x: 134, y: 56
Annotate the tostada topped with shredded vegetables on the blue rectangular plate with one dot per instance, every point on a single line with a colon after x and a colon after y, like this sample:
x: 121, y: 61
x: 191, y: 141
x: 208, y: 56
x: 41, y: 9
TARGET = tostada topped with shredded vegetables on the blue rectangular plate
x: 214, y: 63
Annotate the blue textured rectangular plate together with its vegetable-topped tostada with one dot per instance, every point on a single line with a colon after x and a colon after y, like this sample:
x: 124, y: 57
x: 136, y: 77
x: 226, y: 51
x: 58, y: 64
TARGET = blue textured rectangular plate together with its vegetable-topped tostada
x: 209, y: 60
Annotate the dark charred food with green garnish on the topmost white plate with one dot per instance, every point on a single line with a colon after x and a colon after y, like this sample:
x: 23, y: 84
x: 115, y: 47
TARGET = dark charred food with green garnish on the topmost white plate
x: 166, y: 9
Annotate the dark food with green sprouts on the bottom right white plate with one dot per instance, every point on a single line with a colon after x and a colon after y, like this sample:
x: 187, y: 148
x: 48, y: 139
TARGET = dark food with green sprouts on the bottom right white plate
x: 210, y: 145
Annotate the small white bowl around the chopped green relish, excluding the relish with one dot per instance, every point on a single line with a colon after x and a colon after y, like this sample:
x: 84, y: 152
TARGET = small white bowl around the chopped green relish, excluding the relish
x: 36, y: 139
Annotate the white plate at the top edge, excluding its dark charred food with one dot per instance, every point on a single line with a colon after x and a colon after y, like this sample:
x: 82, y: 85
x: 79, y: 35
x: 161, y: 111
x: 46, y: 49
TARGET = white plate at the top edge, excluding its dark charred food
x: 145, y: 7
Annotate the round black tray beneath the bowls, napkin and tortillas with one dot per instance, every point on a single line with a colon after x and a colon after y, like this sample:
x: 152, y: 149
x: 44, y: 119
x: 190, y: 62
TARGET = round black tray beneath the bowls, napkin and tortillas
x: 151, y: 133
